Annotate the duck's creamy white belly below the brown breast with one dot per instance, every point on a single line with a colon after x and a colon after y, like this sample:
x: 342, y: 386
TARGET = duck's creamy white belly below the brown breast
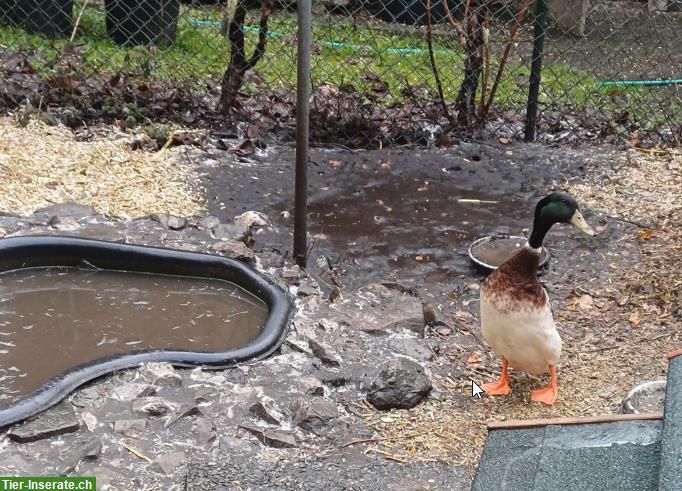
x: 522, y: 333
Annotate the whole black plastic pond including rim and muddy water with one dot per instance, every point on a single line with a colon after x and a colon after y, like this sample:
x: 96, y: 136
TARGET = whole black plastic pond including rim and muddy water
x: 72, y: 310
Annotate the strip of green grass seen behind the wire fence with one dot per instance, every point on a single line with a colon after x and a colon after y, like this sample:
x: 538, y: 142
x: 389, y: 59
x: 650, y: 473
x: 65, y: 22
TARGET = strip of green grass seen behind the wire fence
x: 343, y: 54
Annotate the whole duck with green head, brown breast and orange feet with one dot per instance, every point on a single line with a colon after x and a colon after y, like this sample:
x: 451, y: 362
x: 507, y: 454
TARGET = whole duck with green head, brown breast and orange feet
x: 516, y: 313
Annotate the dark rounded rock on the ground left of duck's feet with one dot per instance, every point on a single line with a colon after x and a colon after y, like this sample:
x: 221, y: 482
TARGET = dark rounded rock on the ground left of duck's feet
x: 401, y: 384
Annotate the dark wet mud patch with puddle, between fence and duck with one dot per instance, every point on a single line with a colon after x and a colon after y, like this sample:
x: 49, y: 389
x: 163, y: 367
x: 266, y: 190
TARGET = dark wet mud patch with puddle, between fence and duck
x: 388, y: 214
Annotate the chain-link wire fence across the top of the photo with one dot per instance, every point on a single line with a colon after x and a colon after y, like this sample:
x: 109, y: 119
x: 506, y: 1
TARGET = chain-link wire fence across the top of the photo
x: 391, y: 72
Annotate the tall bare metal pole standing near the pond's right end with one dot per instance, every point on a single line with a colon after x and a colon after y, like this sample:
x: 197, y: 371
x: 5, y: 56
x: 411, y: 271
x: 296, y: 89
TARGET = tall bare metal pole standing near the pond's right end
x: 302, y: 131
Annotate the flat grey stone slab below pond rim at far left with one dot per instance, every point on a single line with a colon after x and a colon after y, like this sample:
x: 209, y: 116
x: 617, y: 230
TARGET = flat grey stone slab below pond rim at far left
x: 58, y: 420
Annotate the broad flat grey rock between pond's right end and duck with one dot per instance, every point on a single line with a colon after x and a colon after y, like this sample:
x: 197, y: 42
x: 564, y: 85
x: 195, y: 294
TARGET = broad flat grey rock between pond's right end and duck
x: 376, y: 309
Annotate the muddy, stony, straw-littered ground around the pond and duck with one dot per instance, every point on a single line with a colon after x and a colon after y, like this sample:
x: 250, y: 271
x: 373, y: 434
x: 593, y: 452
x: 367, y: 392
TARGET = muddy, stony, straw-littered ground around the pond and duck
x: 388, y: 237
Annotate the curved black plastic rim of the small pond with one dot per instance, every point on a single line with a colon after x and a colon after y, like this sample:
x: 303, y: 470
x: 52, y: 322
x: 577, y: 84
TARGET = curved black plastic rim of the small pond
x: 42, y: 251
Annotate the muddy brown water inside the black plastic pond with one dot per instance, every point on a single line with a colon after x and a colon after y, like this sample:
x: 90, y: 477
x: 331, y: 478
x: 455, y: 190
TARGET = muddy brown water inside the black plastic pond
x: 52, y: 319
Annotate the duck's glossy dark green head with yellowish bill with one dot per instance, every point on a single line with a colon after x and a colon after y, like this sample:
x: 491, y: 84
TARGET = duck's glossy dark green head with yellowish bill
x: 556, y: 208
